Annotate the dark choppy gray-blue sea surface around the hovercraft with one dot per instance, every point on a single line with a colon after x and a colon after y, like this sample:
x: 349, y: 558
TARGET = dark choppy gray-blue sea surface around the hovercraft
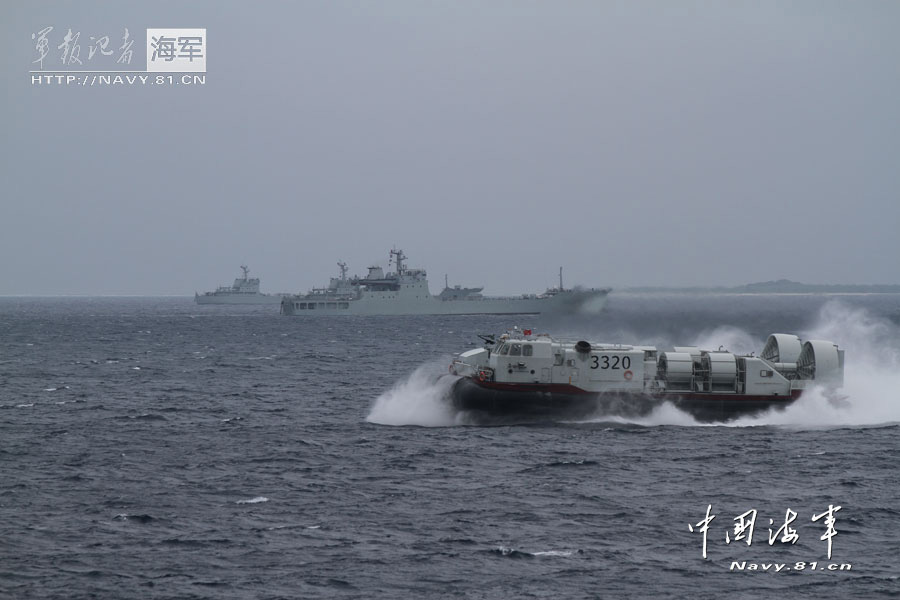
x: 153, y: 448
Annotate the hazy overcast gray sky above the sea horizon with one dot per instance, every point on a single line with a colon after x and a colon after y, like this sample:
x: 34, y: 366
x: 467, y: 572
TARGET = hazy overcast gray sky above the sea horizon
x: 633, y: 143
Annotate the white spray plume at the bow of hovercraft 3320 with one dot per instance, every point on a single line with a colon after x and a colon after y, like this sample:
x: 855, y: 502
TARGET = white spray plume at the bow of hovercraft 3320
x: 421, y: 399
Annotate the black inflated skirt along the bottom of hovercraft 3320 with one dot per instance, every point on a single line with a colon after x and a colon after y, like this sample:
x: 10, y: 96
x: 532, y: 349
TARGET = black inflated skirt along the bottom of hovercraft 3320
x: 498, y: 403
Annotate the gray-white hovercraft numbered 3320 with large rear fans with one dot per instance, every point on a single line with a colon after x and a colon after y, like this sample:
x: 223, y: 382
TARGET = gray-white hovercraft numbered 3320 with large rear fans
x: 521, y: 376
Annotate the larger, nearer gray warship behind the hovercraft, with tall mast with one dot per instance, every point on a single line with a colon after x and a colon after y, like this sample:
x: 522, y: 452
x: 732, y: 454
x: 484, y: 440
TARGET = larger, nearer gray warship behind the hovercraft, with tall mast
x: 405, y: 291
